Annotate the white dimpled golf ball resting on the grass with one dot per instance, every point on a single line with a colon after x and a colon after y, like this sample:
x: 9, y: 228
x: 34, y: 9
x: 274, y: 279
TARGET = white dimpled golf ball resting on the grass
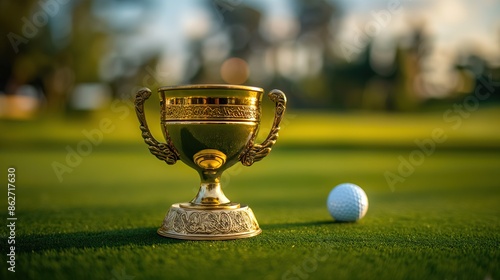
x: 347, y: 203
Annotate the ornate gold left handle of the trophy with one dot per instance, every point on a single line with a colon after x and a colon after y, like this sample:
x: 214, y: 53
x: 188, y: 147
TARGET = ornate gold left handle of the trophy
x: 163, y: 151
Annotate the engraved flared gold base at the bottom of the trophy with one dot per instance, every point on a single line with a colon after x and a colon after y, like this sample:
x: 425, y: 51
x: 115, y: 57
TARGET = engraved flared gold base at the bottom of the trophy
x: 209, y: 224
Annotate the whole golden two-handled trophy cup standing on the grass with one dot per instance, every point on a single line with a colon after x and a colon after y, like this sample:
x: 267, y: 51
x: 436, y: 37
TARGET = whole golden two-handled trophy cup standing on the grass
x: 210, y: 128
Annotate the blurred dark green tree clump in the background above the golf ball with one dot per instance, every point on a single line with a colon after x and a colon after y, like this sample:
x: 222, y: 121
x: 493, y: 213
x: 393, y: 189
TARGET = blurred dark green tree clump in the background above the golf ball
x: 362, y: 85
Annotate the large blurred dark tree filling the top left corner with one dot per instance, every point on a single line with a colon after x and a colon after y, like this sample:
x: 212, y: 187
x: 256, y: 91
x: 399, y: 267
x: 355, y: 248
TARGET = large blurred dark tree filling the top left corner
x: 30, y: 56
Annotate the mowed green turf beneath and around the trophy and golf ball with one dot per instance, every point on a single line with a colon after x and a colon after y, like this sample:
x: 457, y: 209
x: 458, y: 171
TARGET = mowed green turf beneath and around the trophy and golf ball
x: 440, y: 222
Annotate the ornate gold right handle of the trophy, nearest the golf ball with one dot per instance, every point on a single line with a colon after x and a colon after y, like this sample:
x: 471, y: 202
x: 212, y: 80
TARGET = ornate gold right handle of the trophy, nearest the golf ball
x: 256, y: 152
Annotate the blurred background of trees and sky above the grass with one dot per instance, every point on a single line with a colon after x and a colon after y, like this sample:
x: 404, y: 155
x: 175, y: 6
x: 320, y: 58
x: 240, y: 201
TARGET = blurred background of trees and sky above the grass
x: 61, y: 56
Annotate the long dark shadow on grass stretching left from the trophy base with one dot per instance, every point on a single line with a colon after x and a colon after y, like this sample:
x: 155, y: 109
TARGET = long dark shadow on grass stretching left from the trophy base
x: 81, y: 240
